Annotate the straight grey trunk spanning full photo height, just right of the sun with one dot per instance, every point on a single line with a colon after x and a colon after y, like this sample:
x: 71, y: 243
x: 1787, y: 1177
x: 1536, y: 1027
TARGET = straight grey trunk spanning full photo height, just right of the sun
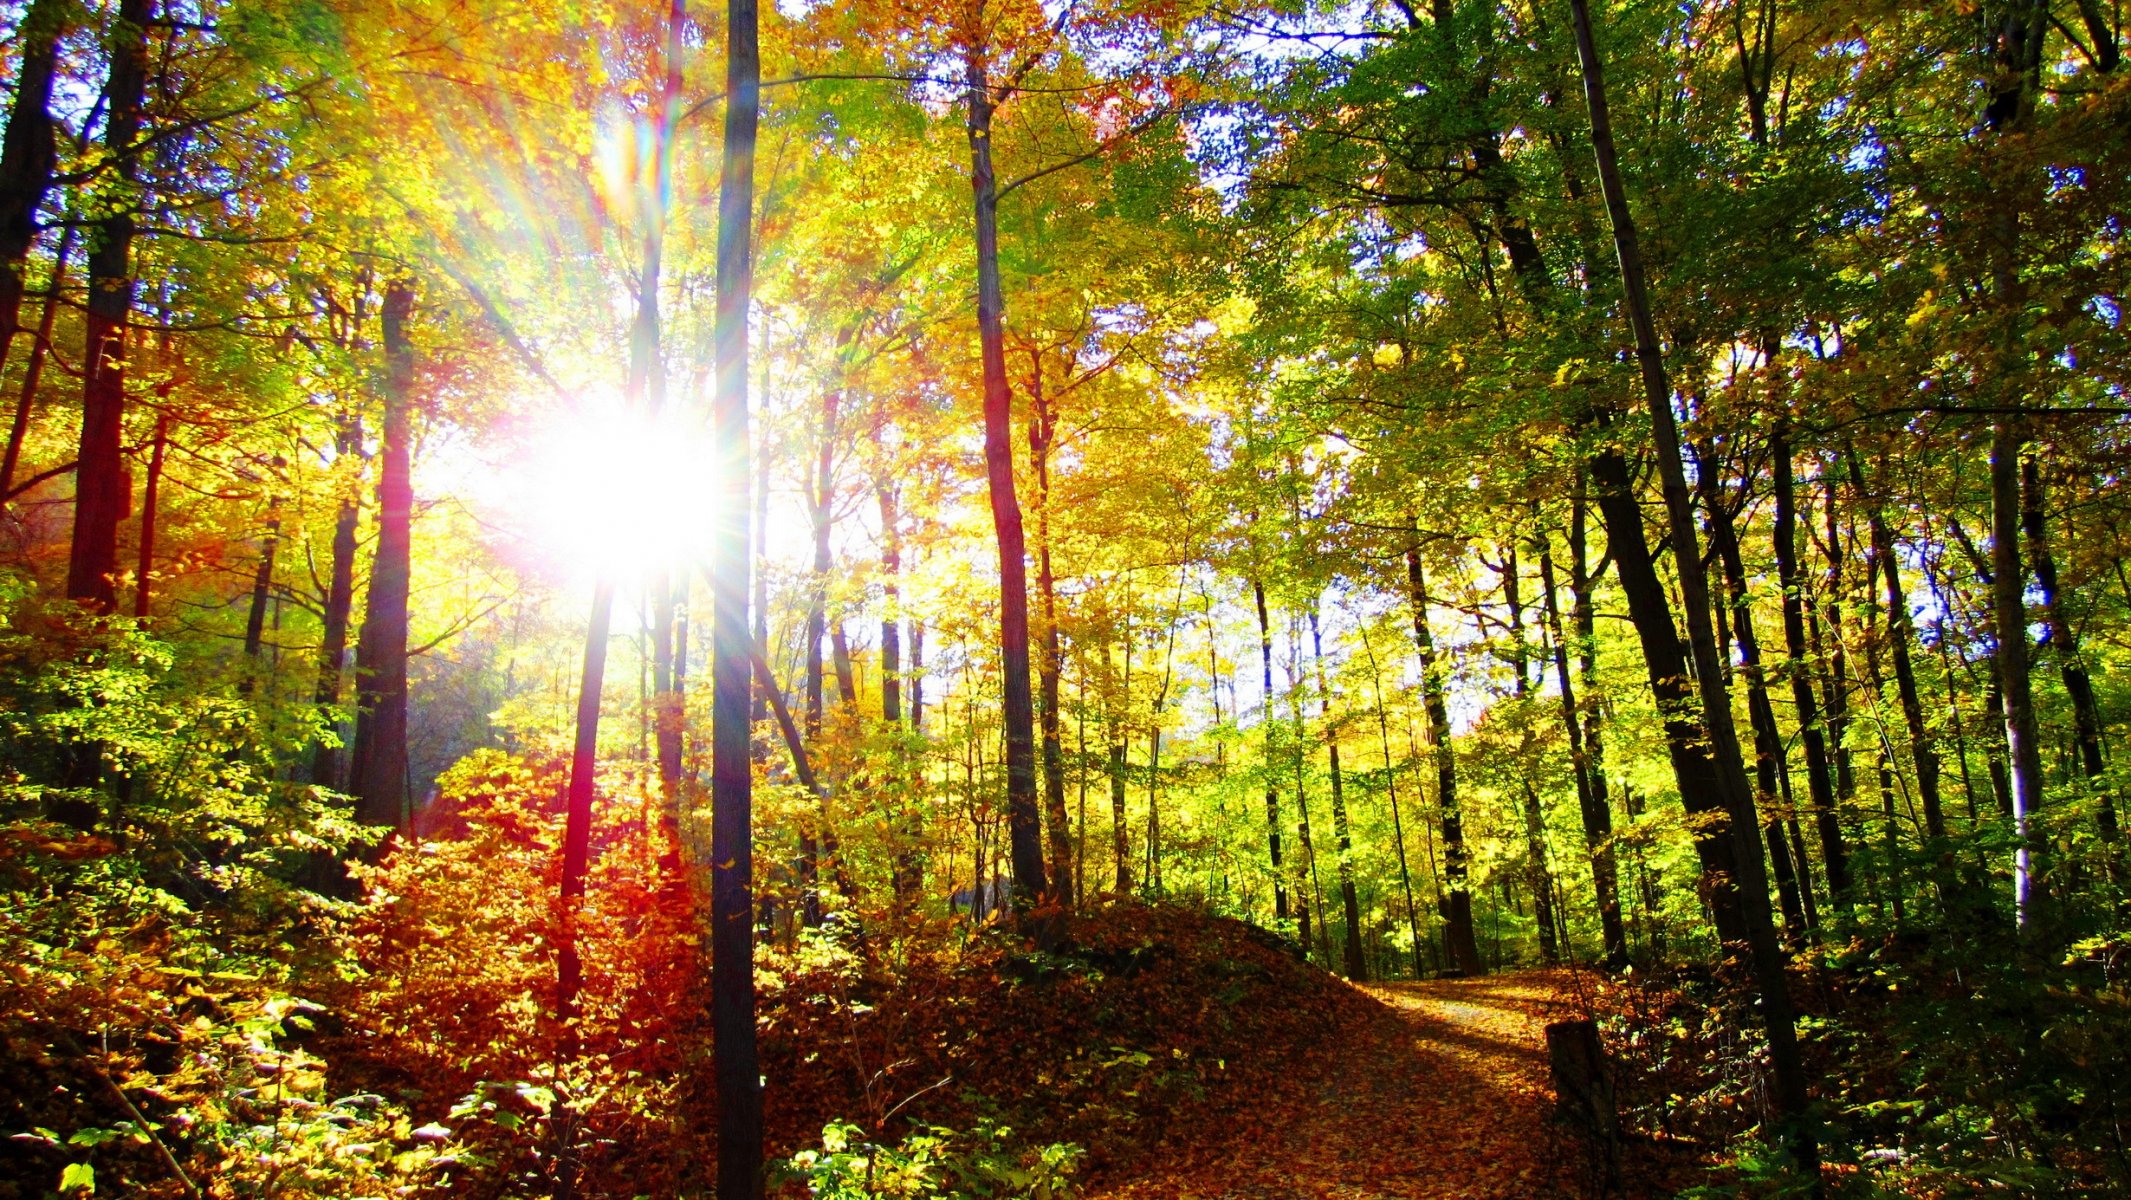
x: 732, y: 822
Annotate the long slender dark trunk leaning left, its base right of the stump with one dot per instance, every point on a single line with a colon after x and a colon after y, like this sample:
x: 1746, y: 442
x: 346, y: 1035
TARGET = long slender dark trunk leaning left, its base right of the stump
x: 1738, y: 802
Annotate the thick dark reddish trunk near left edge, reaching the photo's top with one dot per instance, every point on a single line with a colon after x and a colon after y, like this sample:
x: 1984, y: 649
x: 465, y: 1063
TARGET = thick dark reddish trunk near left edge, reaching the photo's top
x: 101, y: 489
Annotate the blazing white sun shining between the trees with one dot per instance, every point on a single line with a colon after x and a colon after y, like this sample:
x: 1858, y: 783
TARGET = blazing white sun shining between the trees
x: 613, y: 491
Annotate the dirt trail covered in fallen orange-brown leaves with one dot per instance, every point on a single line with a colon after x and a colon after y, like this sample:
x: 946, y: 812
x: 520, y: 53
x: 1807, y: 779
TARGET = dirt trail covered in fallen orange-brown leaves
x: 1442, y: 1090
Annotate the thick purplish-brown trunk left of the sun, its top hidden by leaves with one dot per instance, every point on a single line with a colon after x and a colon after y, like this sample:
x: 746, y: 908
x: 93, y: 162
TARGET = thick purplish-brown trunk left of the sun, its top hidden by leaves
x: 378, y: 771
